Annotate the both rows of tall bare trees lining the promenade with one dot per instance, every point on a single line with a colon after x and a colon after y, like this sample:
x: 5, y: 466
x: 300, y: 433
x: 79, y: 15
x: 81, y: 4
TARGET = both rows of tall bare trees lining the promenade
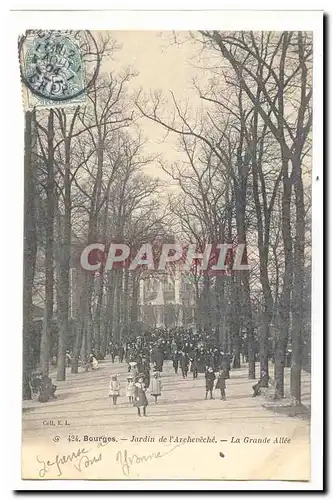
x: 244, y: 179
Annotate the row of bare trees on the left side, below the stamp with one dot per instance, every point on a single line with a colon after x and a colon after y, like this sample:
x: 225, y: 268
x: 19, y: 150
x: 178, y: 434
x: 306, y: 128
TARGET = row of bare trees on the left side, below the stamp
x: 85, y: 182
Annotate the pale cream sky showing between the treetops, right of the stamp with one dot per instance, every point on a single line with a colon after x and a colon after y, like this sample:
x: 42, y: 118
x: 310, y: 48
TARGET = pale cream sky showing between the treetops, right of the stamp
x: 162, y: 65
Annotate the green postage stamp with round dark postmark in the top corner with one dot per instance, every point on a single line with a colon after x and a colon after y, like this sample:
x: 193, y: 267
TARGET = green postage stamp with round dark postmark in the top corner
x: 53, y: 68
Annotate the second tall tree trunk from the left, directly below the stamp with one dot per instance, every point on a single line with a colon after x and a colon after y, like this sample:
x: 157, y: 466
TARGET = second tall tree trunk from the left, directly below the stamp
x: 48, y: 309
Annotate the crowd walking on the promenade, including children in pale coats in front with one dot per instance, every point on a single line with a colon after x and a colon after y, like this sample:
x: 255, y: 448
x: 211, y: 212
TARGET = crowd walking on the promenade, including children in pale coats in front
x: 189, y: 352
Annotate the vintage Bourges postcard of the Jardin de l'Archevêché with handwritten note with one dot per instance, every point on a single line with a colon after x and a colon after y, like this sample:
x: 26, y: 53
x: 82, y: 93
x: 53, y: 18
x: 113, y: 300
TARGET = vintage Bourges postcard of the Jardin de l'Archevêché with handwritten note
x: 169, y: 207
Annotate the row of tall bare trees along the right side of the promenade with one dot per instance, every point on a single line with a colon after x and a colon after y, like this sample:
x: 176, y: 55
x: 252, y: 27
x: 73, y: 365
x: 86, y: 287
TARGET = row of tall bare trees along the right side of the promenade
x: 247, y: 177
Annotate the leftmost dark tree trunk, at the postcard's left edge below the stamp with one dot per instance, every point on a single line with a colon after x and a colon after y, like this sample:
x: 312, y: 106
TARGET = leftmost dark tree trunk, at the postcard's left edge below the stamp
x: 30, y: 247
